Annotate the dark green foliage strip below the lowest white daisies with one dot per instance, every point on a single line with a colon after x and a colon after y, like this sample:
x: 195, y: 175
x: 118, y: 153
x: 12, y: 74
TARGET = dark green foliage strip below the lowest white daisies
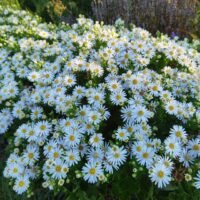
x: 122, y: 187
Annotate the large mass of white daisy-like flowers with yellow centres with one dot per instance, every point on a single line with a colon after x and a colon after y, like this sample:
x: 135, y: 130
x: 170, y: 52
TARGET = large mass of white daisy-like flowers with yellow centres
x: 82, y: 102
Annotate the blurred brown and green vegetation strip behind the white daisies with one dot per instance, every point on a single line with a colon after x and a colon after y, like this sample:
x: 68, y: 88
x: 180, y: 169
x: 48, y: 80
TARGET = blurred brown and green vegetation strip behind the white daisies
x: 179, y: 16
